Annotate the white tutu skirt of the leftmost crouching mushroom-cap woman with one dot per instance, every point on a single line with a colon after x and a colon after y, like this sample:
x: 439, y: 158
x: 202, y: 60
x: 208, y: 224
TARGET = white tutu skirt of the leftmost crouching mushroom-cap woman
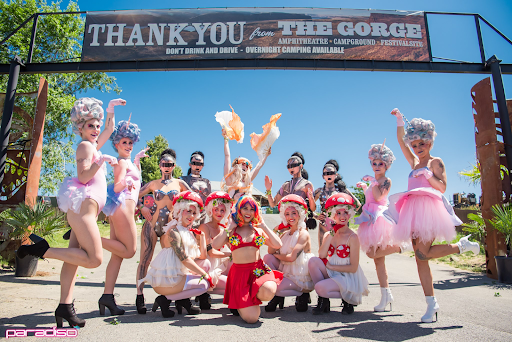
x: 166, y: 270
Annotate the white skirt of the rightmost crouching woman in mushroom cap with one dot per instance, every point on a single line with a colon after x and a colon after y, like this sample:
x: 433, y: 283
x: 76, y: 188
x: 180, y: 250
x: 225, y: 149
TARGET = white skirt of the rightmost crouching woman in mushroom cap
x: 353, y: 286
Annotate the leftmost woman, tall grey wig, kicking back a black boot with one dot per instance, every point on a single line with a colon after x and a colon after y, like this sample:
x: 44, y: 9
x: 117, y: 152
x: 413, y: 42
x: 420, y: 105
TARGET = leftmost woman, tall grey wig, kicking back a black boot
x: 82, y: 198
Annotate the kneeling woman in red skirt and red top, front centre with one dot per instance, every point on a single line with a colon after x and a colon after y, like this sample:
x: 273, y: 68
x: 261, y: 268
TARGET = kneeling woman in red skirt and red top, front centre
x: 250, y: 280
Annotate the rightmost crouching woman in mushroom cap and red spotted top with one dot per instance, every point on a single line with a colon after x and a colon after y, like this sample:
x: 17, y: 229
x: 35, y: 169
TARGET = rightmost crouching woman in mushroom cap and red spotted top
x: 336, y: 273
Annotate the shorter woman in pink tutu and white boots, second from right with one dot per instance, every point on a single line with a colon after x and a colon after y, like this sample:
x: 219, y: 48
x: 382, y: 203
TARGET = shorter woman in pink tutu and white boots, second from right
x: 375, y: 231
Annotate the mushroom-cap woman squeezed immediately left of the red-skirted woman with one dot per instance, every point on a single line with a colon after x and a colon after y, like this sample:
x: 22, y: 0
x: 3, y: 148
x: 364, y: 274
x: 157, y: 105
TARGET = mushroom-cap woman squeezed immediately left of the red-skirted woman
x: 218, y: 207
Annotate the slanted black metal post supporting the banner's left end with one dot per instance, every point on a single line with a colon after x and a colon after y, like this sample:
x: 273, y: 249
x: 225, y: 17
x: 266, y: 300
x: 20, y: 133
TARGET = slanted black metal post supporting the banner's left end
x: 14, y: 72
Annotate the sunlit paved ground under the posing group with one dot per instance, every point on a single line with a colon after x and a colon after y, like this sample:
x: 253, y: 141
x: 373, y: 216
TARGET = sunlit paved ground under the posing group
x: 471, y: 309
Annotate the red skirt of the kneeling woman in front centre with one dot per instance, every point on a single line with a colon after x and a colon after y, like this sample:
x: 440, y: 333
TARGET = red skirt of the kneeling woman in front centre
x: 244, y: 282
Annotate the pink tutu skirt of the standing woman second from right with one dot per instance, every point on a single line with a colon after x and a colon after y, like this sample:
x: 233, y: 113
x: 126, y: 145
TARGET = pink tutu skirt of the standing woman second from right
x: 374, y: 229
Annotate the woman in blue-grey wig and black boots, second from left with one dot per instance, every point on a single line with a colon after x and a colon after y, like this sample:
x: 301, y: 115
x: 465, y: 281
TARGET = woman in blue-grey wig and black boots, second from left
x: 122, y: 197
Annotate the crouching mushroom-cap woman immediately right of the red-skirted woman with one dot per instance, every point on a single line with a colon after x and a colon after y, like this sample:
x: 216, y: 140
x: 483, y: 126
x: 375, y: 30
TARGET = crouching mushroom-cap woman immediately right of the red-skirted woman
x: 293, y: 257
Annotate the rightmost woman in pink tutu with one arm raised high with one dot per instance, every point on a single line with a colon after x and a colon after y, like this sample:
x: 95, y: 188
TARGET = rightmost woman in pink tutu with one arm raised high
x: 422, y: 213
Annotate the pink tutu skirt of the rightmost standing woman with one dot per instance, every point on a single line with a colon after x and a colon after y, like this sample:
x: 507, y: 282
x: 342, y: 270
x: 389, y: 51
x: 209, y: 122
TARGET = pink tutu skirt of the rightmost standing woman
x: 422, y: 213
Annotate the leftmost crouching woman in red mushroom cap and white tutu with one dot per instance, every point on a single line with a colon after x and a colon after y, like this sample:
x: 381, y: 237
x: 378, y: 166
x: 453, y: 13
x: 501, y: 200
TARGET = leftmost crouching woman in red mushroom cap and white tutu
x: 180, y: 270
